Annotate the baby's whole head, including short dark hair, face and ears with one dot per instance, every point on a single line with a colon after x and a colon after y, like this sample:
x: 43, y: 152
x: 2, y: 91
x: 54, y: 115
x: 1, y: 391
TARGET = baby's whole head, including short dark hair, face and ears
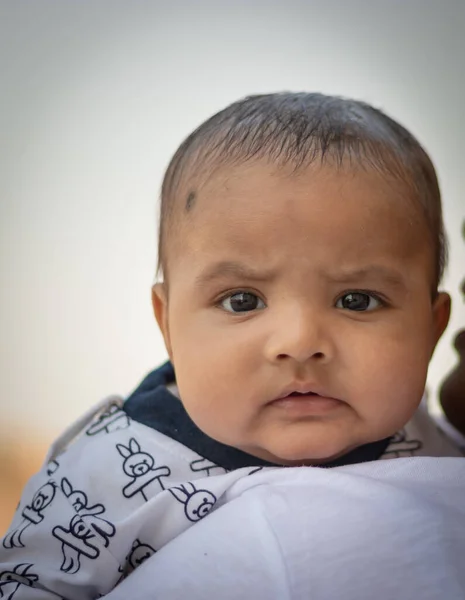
x: 301, y: 246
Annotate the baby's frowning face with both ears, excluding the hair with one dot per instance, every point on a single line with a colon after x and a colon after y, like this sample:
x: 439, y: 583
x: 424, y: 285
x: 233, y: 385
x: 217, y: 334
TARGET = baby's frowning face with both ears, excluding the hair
x: 299, y: 317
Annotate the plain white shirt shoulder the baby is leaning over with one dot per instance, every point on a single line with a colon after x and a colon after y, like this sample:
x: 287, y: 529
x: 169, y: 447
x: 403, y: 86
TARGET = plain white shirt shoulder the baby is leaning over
x: 388, y: 530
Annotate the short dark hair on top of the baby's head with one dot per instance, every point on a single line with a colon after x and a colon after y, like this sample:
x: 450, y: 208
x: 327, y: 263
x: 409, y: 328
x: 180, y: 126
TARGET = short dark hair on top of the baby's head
x: 298, y: 129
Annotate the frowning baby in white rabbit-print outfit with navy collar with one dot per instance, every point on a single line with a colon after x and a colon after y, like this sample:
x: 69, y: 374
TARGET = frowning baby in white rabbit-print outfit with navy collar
x: 301, y: 247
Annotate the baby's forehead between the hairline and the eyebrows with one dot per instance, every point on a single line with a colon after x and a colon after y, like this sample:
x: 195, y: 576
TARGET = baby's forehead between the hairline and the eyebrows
x: 322, y: 213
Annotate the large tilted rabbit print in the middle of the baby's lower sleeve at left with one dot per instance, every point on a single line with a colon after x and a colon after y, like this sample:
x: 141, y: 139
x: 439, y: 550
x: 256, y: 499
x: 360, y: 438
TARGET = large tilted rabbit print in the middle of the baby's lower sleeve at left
x: 86, y: 531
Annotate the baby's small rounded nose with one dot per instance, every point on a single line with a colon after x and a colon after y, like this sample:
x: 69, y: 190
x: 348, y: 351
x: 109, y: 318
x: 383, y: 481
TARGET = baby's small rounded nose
x: 300, y: 335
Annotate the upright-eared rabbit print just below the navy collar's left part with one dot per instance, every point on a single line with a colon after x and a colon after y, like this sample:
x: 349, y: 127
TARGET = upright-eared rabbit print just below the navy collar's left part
x: 140, y: 467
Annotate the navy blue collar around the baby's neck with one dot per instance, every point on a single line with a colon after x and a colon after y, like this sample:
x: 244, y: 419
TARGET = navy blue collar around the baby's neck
x: 153, y: 405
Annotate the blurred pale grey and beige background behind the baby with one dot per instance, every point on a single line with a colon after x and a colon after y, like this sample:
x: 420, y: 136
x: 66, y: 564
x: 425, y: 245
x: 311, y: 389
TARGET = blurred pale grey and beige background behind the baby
x: 95, y: 96
